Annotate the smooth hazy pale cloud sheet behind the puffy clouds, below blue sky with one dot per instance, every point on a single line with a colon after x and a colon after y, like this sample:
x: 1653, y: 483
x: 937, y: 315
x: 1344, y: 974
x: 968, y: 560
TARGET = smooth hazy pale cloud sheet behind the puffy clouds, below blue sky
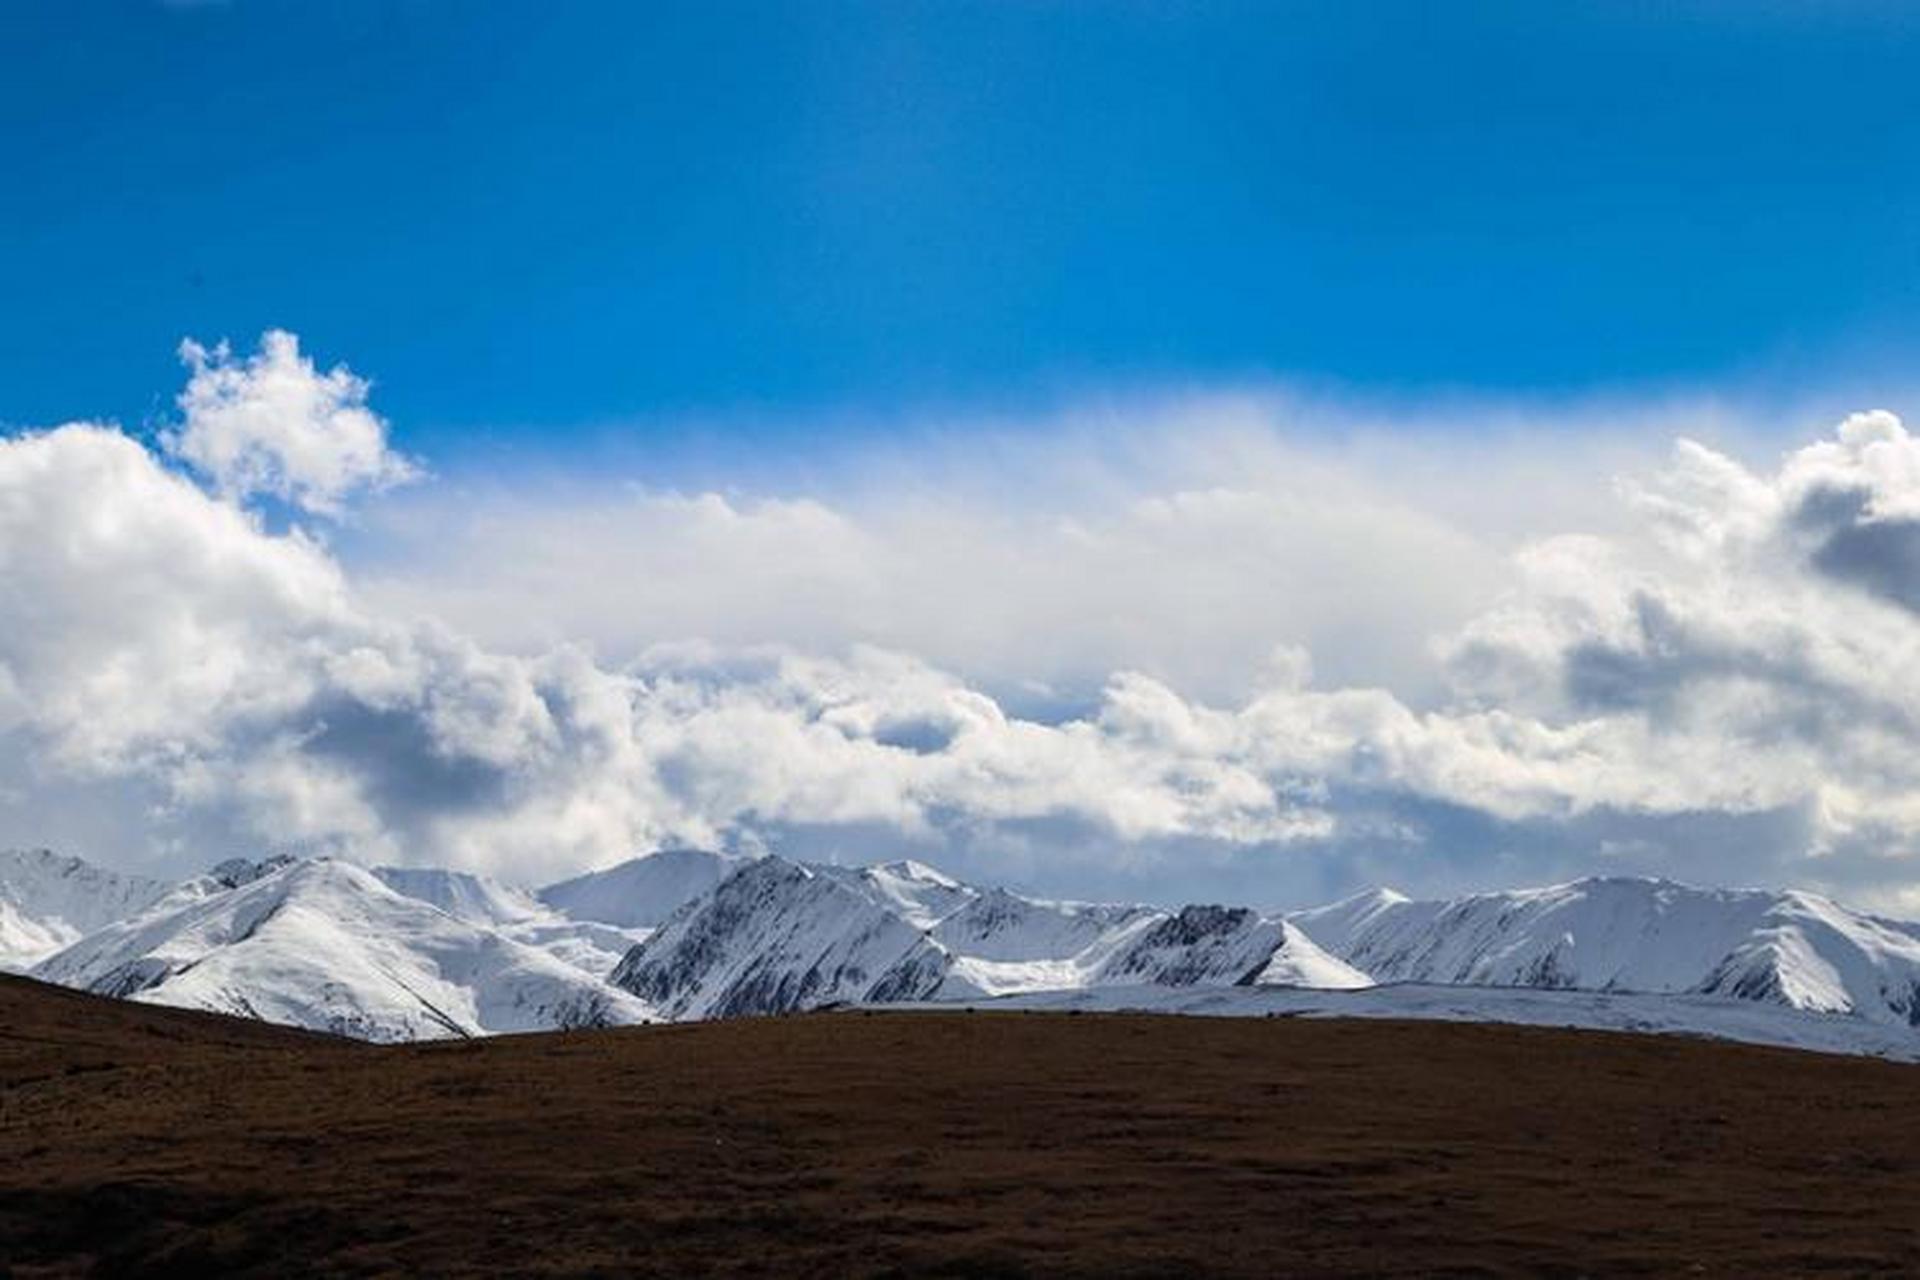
x: 1186, y: 544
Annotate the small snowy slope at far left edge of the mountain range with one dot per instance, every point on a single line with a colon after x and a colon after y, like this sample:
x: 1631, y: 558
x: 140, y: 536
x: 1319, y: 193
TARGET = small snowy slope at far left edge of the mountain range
x: 49, y: 901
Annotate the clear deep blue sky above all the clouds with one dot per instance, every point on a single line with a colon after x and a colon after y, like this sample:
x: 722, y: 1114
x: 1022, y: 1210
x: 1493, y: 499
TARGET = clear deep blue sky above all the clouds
x: 552, y: 225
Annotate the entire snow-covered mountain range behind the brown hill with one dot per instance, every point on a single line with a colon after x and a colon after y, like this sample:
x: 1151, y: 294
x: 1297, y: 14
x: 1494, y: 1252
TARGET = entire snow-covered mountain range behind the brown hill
x: 408, y: 953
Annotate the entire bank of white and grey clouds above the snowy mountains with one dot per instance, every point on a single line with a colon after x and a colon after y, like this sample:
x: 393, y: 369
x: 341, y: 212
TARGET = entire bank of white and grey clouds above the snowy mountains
x: 1717, y: 684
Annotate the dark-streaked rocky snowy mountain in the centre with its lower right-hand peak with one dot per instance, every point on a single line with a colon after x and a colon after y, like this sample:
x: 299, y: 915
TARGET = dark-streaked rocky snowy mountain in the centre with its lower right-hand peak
x: 780, y: 936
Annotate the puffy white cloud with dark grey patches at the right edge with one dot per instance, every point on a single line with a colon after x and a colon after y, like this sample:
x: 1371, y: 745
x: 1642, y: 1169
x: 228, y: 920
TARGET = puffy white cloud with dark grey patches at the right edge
x: 1754, y: 650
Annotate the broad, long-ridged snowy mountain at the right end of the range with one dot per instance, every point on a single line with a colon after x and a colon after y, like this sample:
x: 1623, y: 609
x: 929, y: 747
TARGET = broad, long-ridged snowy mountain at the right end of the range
x: 1643, y: 936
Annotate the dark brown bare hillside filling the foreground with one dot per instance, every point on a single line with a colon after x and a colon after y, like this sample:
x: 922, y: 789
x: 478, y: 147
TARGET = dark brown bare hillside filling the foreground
x: 151, y: 1143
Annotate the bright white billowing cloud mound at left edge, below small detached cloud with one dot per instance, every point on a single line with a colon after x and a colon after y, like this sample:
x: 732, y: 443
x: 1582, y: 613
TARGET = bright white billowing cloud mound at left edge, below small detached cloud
x: 141, y: 613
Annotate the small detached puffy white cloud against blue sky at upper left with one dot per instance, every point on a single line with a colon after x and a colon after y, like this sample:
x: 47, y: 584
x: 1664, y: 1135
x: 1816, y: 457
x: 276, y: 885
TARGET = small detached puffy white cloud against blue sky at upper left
x: 274, y: 425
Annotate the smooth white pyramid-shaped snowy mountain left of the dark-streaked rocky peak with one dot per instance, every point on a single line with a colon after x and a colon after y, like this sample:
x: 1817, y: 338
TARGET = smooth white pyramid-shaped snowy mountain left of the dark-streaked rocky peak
x: 327, y: 945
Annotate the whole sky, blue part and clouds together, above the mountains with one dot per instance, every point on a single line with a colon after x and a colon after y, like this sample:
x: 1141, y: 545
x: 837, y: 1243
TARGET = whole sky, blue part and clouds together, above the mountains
x: 1180, y: 450
